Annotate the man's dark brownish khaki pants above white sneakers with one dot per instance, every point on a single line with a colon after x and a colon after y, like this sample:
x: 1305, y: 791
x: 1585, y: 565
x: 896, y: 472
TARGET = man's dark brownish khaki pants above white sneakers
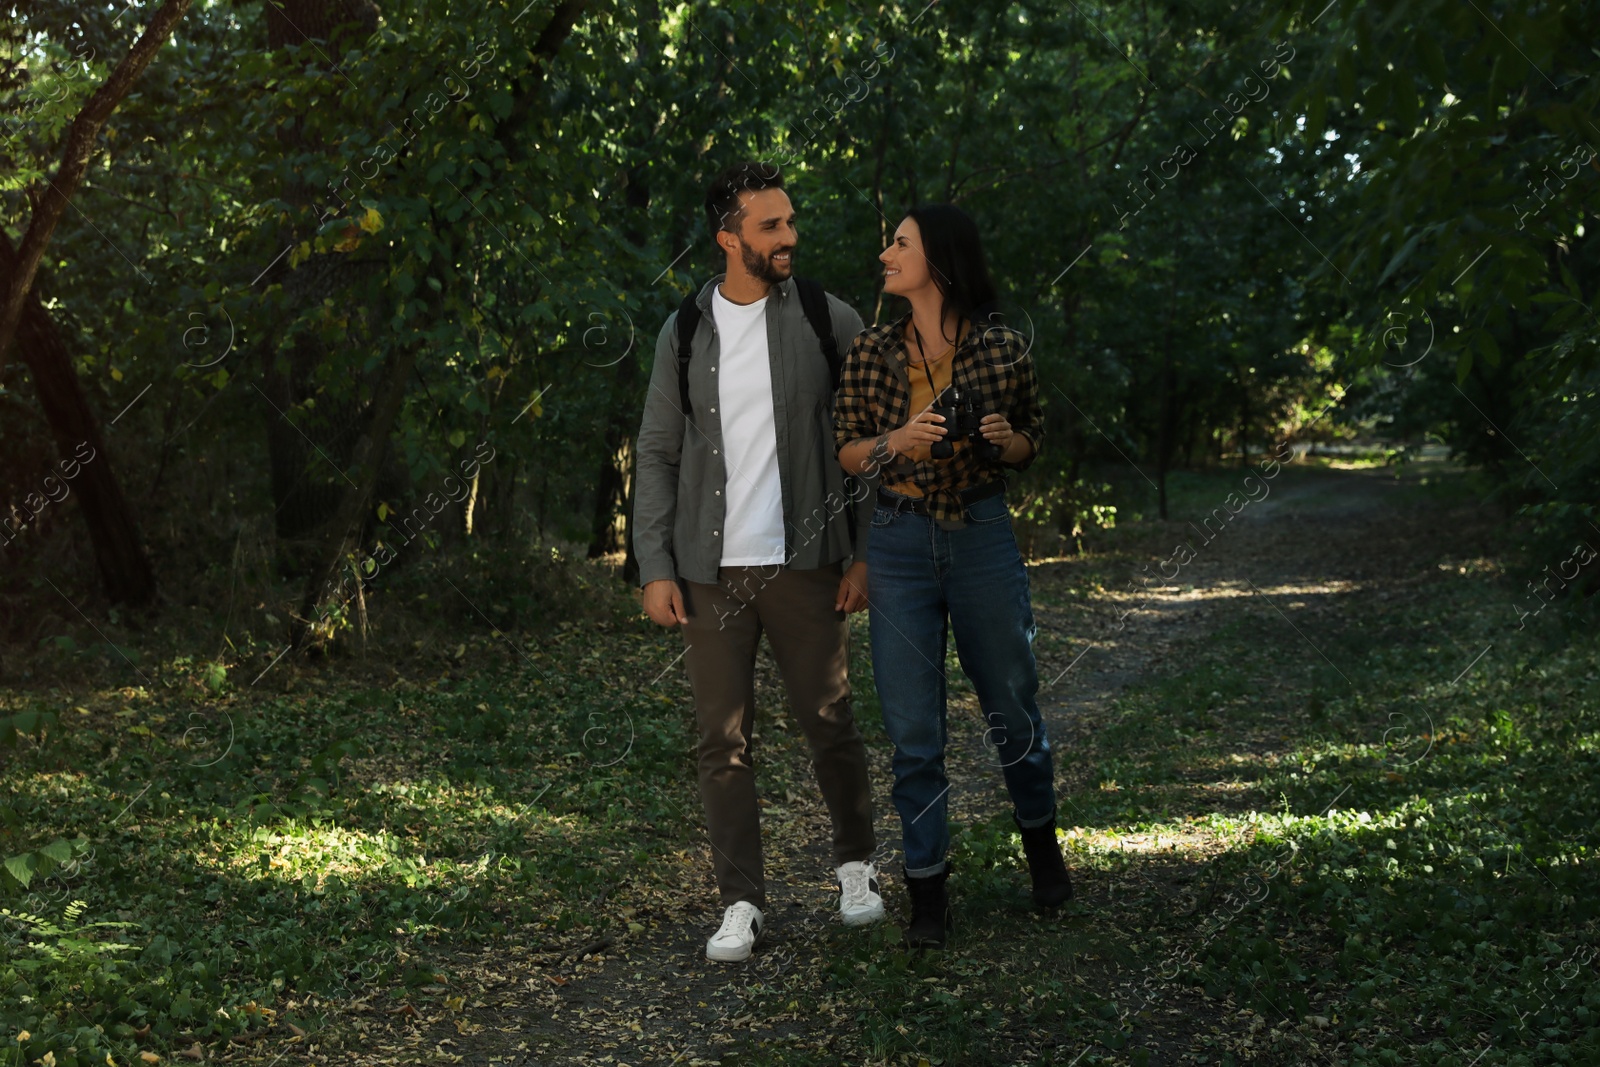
x: 810, y: 642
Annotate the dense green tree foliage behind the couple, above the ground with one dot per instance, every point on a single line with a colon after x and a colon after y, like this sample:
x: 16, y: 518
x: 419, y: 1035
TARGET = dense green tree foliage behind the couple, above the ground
x: 1206, y: 241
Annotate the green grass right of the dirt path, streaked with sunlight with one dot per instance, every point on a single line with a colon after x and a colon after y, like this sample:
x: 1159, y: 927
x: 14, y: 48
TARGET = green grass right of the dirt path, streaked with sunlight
x: 1401, y: 865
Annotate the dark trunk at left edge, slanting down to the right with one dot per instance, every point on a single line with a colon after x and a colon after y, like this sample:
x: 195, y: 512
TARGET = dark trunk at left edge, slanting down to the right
x: 119, y: 553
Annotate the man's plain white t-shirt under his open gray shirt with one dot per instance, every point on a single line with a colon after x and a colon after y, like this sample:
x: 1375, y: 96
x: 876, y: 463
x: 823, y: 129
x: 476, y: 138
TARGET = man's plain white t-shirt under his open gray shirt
x: 753, y: 533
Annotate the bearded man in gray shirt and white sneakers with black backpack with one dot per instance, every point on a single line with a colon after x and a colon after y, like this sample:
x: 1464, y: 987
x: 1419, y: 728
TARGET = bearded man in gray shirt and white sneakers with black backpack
x: 742, y: 526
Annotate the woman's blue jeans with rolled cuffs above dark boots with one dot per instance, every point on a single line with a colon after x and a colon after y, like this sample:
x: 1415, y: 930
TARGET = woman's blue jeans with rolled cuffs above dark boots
x: 921, y: 577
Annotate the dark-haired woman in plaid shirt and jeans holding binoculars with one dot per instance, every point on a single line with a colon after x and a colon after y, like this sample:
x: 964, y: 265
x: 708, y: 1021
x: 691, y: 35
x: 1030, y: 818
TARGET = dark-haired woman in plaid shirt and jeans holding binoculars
x: 942, y: 554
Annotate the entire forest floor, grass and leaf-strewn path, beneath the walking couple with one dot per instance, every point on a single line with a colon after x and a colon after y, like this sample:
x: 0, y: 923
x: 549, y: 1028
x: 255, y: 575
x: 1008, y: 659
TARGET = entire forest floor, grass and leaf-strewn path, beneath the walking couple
x: 1324, y: 804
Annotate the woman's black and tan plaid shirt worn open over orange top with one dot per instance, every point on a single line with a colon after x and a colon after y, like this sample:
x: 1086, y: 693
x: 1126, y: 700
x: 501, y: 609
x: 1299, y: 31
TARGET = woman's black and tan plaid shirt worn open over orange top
x: 993, y: 366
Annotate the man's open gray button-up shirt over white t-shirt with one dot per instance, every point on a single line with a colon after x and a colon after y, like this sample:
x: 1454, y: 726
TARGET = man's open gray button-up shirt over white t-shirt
x: 681, y: 498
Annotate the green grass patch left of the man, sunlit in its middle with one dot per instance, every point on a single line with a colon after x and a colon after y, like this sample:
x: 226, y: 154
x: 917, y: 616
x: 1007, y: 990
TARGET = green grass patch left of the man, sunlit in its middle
x: 330, y: 839
